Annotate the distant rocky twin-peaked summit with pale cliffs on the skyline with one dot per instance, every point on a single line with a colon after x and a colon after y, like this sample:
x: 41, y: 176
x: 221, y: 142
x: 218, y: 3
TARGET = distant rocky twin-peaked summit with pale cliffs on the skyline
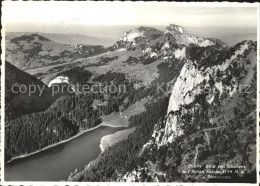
x: 164, y: 45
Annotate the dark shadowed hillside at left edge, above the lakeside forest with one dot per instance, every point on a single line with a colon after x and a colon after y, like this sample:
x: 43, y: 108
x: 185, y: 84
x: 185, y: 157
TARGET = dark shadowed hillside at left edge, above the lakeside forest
x: 20, y: 102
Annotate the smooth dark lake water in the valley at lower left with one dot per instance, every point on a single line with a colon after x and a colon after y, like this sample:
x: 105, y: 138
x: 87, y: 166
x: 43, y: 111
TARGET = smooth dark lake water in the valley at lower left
x: 56, y: 163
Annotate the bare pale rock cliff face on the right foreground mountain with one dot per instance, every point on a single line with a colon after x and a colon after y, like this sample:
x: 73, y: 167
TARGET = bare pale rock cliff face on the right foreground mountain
x: 193, y: 82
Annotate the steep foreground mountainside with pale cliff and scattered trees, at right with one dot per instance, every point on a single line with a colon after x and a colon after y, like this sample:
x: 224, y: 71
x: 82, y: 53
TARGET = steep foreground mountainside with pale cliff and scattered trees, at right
x: 210, y: 114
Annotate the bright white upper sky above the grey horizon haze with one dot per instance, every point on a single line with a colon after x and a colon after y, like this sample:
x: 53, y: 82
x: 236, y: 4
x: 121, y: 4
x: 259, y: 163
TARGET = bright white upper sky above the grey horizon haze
x: 120, y: 13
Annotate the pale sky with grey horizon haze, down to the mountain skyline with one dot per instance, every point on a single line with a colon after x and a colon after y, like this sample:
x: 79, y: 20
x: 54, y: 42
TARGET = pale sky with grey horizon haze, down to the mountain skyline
x: 112, y: 19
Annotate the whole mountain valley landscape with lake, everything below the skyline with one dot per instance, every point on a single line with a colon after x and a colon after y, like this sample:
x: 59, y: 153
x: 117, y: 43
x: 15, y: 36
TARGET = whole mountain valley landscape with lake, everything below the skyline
x: 183, y: 104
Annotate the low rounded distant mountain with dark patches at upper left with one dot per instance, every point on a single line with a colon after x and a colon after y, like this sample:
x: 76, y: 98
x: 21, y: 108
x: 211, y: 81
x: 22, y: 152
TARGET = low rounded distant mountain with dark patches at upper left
x: 33, y: 51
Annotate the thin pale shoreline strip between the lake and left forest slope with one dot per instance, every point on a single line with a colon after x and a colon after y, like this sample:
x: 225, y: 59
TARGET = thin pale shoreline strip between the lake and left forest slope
x: 61, y: 142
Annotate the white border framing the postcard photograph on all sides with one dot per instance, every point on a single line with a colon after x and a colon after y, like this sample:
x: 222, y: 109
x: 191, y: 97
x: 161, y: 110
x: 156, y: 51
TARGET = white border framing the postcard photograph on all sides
x: 175, y: 4
